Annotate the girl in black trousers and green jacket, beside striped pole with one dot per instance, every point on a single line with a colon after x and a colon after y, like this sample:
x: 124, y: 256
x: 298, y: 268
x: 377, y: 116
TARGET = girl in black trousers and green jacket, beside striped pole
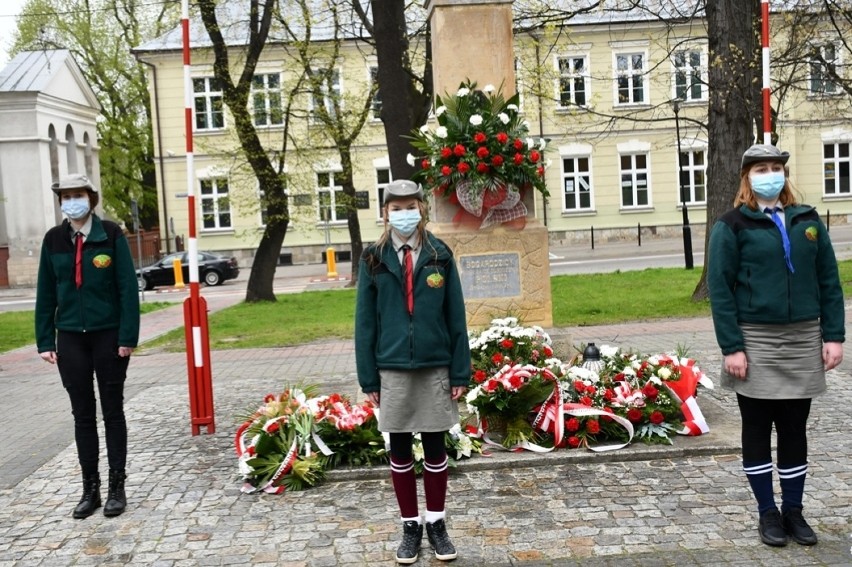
x: 87, y: 323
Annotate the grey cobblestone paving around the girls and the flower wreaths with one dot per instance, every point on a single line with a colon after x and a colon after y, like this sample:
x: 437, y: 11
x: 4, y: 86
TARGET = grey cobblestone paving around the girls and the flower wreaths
x: 683, y: 505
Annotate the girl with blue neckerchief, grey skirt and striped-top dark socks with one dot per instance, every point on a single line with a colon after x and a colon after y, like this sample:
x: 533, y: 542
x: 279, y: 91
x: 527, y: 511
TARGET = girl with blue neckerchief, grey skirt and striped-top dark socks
x: 778, y: 313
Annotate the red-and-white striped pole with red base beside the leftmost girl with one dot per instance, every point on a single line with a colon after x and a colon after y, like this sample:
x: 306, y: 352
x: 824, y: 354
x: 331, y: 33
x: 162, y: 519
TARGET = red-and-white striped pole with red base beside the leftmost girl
x: 194, y: 307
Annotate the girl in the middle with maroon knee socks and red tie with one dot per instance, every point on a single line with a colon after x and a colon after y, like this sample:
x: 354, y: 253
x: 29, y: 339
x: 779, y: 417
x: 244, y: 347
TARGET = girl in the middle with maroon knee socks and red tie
x: 413, y: 357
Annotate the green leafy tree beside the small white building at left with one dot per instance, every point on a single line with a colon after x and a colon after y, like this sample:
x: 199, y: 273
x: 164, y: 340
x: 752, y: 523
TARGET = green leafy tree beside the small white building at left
x: 100, y: 35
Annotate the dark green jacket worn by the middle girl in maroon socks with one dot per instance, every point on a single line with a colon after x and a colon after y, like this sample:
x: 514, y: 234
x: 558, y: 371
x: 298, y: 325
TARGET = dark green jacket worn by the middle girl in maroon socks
x: 387, y: 337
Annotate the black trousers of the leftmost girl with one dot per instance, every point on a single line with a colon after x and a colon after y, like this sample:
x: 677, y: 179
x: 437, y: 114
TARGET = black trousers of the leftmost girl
x: 81, y: 358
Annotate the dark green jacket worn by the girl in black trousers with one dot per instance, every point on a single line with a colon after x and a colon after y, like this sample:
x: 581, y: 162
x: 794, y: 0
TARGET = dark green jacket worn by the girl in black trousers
x: 108, y: 297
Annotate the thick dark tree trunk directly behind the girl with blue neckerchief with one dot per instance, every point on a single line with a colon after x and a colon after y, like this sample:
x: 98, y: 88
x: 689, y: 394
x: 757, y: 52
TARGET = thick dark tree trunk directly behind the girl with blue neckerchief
x: 734, y: 81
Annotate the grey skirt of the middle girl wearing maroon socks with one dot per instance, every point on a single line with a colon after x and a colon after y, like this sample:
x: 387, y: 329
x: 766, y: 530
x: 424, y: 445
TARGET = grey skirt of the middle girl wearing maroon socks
x: 416, y: 401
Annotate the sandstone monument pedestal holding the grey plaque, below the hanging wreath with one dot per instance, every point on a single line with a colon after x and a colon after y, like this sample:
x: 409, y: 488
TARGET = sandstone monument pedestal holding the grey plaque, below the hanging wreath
x: 504, y: 272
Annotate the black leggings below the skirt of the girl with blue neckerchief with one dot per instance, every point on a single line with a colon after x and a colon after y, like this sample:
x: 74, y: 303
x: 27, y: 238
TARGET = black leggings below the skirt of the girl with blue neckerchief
x: 790, y: 418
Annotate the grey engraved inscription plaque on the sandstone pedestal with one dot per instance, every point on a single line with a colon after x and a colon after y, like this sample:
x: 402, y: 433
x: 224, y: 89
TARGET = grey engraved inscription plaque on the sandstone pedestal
x: 490, y: 275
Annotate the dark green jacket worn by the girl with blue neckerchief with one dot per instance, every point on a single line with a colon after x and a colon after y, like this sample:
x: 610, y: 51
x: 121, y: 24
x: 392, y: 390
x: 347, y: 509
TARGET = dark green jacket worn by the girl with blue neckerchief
x: 749, y: 281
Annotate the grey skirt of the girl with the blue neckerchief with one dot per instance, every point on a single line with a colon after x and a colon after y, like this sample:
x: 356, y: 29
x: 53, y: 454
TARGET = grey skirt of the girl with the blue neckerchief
x: 784, y: 362
